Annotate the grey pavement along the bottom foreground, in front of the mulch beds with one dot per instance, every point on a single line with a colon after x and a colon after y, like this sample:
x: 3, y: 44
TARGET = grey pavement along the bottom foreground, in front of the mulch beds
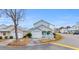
x: 33, y: 47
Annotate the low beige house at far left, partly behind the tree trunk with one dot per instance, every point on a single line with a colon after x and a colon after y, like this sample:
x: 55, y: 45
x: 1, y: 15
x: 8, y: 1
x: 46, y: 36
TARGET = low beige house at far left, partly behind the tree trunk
x: 9, y: 32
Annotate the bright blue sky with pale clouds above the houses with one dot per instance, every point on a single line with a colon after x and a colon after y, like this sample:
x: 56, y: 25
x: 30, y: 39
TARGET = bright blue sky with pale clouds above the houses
x: 58, y: 17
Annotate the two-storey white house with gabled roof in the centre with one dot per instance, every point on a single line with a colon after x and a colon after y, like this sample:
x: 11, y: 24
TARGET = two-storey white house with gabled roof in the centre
x: 41, y: 30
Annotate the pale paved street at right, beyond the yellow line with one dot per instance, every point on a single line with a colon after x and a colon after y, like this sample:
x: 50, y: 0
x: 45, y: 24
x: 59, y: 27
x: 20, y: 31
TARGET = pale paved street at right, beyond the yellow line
x: 70, y: 39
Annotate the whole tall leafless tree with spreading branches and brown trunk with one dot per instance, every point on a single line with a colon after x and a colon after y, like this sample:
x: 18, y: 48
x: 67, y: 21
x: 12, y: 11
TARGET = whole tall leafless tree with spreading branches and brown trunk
x: 15, y: 15
